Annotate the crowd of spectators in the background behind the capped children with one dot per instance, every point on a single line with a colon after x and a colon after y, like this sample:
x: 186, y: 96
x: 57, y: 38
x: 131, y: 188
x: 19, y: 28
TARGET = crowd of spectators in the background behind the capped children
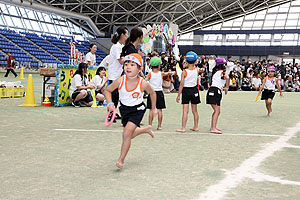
x: 244, y: 75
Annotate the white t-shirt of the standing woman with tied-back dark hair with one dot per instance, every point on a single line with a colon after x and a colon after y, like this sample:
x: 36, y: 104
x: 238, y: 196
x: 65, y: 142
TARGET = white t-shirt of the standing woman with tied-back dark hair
x: 115, y: 69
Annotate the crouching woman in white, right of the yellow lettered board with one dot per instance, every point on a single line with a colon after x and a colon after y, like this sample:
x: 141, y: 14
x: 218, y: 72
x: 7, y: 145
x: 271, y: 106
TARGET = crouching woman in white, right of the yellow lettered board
x: 99, y: 82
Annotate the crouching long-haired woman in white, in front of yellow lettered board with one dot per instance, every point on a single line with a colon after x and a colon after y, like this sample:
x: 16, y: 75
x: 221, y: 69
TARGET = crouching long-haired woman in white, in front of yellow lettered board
x: 79, y: 85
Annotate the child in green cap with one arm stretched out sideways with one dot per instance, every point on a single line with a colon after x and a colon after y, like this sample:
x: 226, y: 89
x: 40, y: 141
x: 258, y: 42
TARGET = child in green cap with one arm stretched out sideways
x: 155, y: 78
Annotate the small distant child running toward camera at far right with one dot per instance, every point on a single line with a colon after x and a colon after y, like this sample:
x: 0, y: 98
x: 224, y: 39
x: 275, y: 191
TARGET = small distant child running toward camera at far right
x: 268, y: 85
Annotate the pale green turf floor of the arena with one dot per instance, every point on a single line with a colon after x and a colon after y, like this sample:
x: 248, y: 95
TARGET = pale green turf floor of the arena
x: 39, y: 162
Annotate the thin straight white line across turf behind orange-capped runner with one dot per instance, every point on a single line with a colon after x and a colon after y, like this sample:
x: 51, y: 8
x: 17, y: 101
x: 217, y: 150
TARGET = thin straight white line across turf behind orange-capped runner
x: 169, y: 132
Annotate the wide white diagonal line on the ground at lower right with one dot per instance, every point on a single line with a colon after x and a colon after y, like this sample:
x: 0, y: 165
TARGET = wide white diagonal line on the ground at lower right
x: 248, y: 167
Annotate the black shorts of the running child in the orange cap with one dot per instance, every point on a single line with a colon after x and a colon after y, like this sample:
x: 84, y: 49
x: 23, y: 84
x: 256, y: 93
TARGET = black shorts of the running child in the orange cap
x: 132, y: 114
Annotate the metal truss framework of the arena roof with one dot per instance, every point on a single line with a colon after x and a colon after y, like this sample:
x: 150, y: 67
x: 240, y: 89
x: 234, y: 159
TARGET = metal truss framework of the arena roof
x: 189, y: 15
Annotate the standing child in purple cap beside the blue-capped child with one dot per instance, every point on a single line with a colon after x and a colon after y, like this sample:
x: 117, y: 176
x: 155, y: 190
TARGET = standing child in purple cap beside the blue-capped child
x: 214, y: 93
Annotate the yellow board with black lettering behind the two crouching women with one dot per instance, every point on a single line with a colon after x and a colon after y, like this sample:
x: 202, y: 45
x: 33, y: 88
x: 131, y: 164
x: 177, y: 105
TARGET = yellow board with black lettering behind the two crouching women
x: 64, y: 75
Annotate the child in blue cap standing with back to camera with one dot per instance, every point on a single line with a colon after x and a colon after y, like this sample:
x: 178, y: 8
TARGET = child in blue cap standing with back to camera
x: 188, y: 88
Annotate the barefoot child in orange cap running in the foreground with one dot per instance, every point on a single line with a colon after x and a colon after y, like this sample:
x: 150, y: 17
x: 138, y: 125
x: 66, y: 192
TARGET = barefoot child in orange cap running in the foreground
x: 131, y: 91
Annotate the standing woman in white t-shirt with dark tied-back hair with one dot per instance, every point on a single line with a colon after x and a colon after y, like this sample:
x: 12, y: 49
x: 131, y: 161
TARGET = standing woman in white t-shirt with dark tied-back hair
x: 115, y: 61
